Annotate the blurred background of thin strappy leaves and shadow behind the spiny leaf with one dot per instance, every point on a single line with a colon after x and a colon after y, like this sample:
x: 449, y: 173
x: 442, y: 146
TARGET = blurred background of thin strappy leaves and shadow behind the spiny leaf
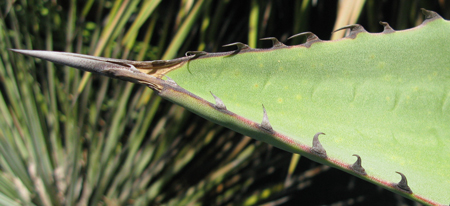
x: 69, y: 138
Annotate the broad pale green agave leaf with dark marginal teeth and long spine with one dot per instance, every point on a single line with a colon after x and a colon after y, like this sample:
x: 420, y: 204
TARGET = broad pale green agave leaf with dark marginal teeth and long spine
x: 384, y: 97
